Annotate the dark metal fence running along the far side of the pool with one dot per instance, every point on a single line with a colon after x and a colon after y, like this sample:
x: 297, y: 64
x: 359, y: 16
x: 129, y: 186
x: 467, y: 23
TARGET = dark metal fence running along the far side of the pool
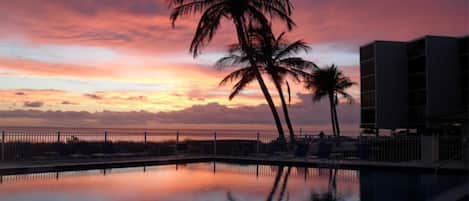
x: 49, y: 145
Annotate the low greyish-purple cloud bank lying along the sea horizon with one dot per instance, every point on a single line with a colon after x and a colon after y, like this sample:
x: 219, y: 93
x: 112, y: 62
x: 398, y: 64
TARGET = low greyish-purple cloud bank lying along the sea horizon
x: 303, y: 113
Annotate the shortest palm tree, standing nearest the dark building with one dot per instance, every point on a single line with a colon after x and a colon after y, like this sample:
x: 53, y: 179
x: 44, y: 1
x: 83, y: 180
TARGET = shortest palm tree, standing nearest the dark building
x: 330, y: 82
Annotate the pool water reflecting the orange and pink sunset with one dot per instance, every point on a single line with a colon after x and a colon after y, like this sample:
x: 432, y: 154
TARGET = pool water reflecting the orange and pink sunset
x: 227, y: 182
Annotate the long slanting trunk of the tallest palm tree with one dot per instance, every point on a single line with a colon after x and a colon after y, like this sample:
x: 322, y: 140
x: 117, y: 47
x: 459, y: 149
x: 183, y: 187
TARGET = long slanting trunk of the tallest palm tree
x: 242, y: 38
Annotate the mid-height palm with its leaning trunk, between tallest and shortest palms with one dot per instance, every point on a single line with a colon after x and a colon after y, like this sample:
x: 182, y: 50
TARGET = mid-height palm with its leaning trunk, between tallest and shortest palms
x: 274, y: 56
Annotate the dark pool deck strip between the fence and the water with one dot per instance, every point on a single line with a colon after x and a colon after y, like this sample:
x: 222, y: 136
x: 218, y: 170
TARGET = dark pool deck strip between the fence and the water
x: 21, y: 167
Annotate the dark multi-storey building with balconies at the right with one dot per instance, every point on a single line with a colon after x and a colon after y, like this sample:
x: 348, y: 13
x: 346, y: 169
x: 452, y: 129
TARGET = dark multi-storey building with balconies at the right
x: 420, y: 85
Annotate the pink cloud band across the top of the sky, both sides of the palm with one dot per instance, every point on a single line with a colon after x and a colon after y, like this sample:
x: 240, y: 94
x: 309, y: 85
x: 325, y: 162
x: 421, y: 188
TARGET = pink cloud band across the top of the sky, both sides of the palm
x: 144, y: 24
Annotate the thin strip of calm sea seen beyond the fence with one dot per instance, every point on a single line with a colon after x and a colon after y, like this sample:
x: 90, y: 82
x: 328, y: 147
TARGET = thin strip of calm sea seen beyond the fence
x: 134, y: 134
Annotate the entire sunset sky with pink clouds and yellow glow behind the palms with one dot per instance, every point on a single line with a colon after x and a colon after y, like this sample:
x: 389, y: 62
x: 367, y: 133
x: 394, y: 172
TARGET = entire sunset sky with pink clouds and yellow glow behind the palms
x: 106, y: 63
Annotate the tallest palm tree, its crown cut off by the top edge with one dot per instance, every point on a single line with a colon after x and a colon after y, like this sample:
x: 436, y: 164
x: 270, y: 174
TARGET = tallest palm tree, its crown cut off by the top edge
x: 240, y: 12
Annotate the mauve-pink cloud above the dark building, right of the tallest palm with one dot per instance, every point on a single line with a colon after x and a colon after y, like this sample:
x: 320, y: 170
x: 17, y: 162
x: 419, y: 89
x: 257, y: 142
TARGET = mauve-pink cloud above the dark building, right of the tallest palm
x: 361, y: 21
